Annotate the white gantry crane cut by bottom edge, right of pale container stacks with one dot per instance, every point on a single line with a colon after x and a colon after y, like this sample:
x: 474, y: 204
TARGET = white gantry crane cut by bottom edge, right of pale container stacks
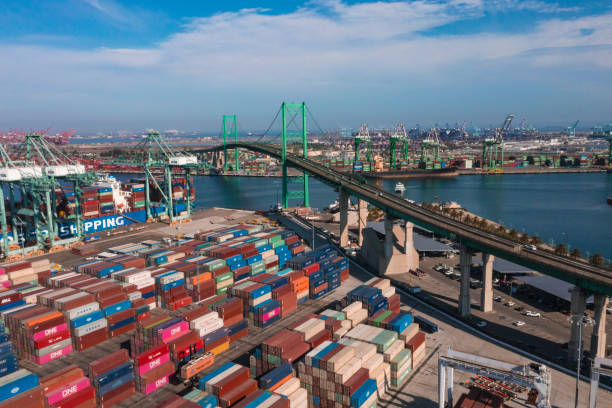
x: 534, y: 376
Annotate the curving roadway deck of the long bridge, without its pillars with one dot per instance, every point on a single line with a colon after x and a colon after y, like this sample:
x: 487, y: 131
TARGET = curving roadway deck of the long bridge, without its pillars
x: 590, y: 277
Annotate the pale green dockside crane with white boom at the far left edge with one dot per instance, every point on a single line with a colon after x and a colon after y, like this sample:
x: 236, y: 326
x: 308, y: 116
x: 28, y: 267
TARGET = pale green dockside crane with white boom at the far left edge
x: 33, y: 174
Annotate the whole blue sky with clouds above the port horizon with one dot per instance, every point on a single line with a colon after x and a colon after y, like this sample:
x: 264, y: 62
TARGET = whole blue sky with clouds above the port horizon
x: 105, y: 65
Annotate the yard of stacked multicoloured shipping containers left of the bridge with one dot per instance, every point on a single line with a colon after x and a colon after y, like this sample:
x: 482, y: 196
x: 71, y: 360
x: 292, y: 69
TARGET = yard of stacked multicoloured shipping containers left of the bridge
x: 150, y: 324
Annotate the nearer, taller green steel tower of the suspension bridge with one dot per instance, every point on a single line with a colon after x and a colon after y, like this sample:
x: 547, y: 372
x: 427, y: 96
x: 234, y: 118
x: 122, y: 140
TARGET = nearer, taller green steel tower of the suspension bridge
x: 291, y: 129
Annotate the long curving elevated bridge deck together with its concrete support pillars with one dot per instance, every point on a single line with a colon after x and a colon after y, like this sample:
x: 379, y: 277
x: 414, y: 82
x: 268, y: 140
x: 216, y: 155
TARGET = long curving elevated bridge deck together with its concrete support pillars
x: 588, y: 279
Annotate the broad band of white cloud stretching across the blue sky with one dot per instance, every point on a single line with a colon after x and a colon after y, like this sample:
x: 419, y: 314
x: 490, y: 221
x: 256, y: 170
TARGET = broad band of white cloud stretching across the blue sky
x: 326, y: 46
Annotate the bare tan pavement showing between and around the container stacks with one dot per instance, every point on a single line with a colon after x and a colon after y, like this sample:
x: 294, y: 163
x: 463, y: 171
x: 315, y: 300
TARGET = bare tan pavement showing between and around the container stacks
x: 419, y: 391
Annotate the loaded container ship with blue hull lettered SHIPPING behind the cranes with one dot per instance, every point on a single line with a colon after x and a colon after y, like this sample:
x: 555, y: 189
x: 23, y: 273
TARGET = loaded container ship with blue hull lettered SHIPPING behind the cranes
x: 106, y: 204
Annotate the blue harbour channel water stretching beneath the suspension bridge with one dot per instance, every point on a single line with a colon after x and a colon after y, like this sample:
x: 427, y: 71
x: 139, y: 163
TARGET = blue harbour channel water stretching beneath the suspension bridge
x: 557, y: 207
